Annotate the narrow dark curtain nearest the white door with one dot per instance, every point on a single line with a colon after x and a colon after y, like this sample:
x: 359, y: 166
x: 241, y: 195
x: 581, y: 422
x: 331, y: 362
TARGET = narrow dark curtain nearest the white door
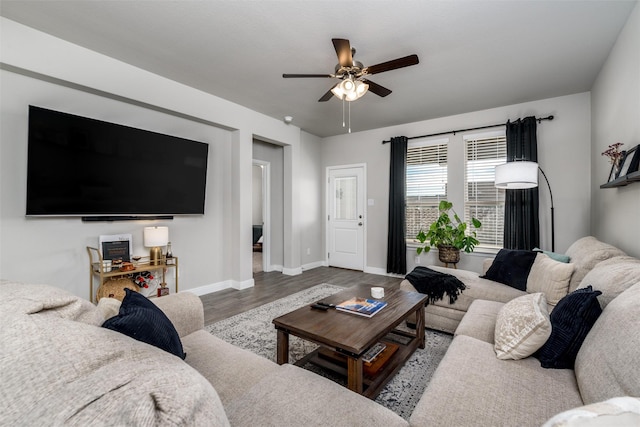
x: 396, y: 244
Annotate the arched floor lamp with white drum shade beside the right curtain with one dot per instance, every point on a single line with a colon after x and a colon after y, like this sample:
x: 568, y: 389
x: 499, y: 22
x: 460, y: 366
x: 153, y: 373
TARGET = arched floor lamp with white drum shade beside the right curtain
x: 519, y: 175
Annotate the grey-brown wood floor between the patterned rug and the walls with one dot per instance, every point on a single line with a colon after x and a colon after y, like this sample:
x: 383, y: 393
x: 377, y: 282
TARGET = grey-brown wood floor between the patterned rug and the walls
x: 274, y: 285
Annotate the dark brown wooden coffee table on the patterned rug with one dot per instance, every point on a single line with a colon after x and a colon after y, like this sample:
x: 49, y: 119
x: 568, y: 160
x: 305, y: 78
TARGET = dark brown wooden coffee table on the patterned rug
x: 350, y: 335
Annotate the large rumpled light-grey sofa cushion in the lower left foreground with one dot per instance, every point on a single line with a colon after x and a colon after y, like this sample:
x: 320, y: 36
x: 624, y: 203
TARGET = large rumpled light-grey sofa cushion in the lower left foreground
x: 71, y: 373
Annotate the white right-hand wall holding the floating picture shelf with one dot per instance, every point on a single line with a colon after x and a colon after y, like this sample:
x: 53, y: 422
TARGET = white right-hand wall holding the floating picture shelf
x: 616, y: 118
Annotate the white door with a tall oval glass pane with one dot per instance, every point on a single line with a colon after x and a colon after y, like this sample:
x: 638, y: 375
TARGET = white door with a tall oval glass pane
x: 346, y: 221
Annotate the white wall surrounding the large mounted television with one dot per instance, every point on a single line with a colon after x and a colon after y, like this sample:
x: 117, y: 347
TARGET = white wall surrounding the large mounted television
x: 214, y: 249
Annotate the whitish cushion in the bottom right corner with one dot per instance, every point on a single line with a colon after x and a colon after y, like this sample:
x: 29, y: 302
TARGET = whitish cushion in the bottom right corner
x: 618, y: 412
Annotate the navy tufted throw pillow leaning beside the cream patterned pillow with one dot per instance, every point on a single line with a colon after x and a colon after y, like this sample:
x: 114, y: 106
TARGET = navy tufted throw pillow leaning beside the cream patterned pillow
x: 571, y: 321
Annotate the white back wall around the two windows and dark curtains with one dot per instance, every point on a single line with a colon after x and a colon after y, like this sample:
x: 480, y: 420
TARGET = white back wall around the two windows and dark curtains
x: 563, y: 153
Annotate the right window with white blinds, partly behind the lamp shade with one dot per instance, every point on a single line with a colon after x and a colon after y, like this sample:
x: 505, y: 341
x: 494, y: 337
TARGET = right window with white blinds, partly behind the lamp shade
x: 482, y: 200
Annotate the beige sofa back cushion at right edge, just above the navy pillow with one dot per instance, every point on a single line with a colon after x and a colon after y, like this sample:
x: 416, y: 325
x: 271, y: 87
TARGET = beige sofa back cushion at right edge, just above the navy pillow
x: 612, y: 277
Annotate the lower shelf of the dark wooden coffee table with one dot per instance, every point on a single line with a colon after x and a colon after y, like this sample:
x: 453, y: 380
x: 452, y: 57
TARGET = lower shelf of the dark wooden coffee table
x: 376, y: 375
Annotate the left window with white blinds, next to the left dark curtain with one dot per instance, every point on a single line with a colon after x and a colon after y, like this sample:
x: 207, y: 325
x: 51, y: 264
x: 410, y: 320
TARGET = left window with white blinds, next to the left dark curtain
x: 426, y: 183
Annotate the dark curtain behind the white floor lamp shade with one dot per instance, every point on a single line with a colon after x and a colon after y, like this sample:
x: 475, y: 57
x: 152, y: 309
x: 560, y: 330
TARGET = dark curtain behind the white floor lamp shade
x: 521, y: 223
